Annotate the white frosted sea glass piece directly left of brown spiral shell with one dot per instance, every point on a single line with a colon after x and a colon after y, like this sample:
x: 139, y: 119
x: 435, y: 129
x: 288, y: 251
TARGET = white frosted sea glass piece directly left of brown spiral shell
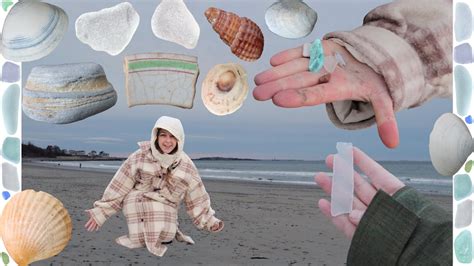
x: 172, y: 21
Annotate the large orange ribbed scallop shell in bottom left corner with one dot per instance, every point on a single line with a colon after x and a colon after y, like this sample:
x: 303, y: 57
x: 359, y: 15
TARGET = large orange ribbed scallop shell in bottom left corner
x: 34, y: 226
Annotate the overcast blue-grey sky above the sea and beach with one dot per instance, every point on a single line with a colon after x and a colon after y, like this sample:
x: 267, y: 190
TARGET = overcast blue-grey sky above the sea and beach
x: 258, y: 130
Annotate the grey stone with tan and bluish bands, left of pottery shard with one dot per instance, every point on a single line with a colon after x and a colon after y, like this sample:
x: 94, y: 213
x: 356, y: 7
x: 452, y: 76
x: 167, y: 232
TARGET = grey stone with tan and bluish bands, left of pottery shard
x: 67, y: 93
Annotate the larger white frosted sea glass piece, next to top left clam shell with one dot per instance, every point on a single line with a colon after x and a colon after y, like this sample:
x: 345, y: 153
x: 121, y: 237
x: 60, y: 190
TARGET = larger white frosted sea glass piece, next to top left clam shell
x: 110, y: 29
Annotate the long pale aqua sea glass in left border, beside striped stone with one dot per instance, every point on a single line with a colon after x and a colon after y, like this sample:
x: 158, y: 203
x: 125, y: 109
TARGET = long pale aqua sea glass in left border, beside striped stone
x: 10, y: 108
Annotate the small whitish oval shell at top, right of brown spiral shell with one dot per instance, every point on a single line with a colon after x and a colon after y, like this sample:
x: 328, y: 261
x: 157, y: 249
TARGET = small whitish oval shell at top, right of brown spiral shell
x: 290, y: 18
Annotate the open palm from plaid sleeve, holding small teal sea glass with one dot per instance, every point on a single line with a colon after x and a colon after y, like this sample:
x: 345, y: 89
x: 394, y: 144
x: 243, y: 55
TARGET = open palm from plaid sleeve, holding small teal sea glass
x: 290, y: 84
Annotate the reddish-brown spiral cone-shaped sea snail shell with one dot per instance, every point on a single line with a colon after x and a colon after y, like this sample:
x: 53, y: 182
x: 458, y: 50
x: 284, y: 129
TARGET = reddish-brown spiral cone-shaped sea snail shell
x: 242, y: 35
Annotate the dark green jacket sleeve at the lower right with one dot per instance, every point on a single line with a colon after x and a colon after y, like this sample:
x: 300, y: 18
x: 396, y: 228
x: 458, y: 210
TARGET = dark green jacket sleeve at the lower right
x: 405, y: 229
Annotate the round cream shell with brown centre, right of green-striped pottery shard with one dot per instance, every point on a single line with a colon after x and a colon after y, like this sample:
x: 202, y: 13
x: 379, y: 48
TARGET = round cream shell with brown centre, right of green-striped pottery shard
x: 225, y: 89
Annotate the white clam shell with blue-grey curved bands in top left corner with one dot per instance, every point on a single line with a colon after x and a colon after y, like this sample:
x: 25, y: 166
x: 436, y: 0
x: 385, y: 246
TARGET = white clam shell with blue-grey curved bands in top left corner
x: 32, y: 30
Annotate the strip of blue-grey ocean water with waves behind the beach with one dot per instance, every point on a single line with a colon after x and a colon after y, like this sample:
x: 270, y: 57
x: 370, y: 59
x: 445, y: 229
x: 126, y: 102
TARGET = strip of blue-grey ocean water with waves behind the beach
x: 420, y: 175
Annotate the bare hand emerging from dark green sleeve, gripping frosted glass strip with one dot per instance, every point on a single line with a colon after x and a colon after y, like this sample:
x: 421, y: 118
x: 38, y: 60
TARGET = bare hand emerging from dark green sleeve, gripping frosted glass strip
x: 364, y: 191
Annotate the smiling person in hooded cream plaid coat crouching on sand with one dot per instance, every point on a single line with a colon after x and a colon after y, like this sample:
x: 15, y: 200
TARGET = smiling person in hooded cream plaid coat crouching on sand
x: 149, y: 187
